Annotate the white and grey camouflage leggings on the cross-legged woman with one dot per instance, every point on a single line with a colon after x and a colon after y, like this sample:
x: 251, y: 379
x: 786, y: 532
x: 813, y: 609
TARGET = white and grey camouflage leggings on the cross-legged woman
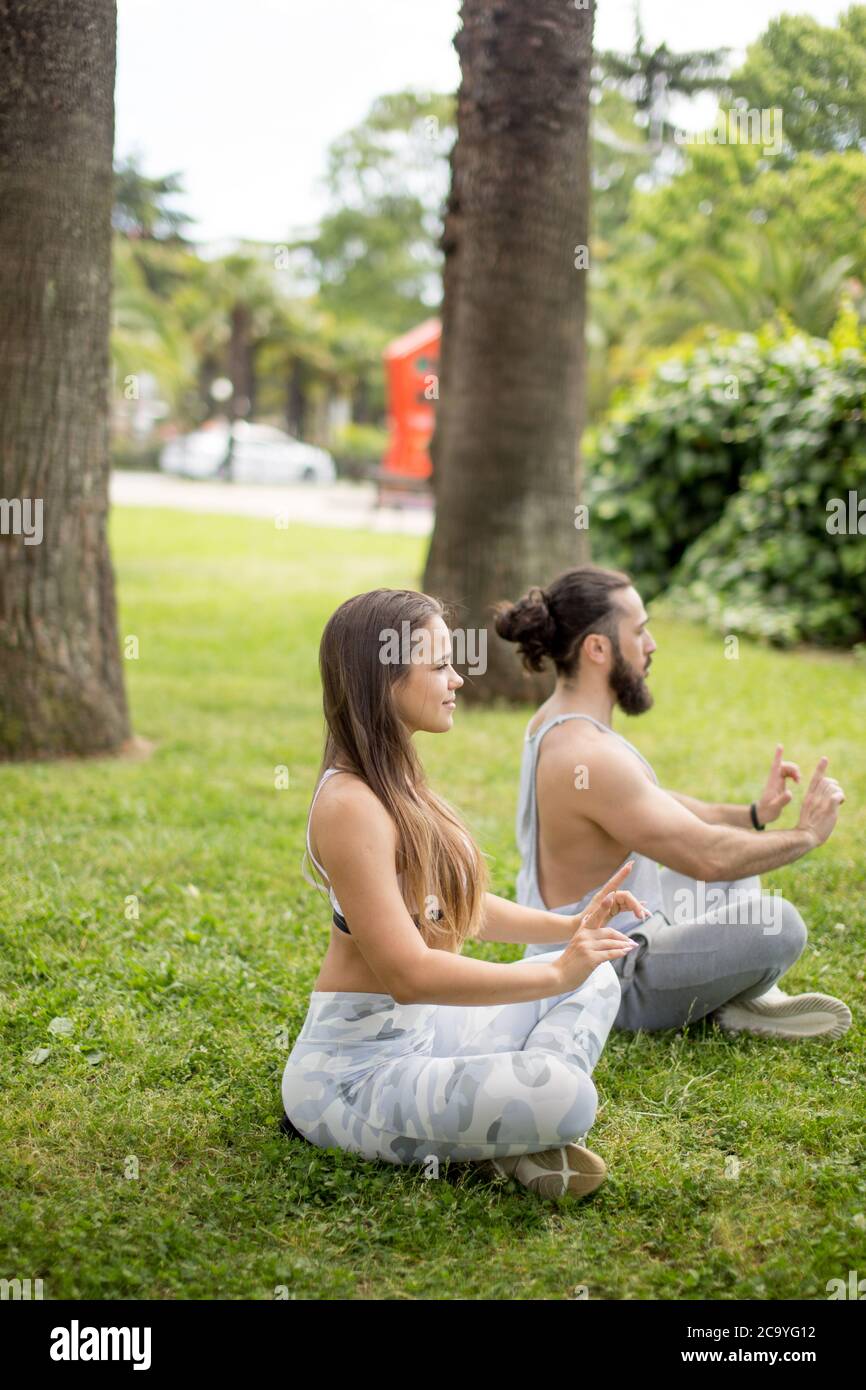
x: 408, y: 1082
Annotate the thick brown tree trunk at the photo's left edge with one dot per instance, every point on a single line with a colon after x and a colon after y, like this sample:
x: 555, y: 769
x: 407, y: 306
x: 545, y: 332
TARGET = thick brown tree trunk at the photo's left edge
x: 62, y: 689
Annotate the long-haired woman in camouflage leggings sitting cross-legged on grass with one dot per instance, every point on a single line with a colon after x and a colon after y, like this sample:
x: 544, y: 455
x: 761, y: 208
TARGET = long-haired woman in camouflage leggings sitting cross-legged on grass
x: 411, y: 1052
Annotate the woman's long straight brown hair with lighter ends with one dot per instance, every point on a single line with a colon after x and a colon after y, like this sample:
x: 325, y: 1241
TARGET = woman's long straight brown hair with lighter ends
x: 441, y: 868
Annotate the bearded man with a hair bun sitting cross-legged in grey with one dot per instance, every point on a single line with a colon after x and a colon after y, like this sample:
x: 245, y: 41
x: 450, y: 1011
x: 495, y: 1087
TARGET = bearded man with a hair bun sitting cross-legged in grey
x: 589, y: 803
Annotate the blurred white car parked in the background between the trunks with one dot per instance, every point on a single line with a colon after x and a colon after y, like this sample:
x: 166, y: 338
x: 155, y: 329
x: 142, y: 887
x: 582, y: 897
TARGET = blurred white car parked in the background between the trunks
x: 262, y: 454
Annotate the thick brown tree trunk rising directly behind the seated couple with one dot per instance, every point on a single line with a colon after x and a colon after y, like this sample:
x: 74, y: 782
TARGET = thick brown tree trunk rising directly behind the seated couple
x: 507, y: 465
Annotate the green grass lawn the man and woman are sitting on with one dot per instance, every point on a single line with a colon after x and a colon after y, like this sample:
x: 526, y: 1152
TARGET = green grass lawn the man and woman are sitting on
x: 183, y: 1015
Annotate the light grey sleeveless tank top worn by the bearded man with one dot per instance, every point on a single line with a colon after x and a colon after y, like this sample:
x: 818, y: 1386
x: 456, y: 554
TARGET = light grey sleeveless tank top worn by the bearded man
x: 644, y: 879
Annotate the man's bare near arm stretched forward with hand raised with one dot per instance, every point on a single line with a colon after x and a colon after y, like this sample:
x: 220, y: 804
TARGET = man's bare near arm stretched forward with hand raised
x: 646, y: 818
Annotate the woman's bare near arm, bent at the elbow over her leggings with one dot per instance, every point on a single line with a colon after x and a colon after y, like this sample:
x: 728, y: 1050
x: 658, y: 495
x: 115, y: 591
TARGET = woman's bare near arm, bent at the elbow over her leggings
x: 357, y: 843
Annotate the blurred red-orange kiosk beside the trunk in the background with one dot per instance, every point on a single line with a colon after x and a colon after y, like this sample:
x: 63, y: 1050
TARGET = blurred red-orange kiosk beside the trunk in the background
x: 412, y: 380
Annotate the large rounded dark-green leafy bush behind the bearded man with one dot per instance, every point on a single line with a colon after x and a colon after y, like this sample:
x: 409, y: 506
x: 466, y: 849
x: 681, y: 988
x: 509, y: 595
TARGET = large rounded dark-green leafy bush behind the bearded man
x: 730, y: 505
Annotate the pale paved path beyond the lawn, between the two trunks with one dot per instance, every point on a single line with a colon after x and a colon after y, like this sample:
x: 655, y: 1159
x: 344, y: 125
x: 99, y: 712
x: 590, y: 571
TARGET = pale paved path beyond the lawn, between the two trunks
x: 344, y: 504
